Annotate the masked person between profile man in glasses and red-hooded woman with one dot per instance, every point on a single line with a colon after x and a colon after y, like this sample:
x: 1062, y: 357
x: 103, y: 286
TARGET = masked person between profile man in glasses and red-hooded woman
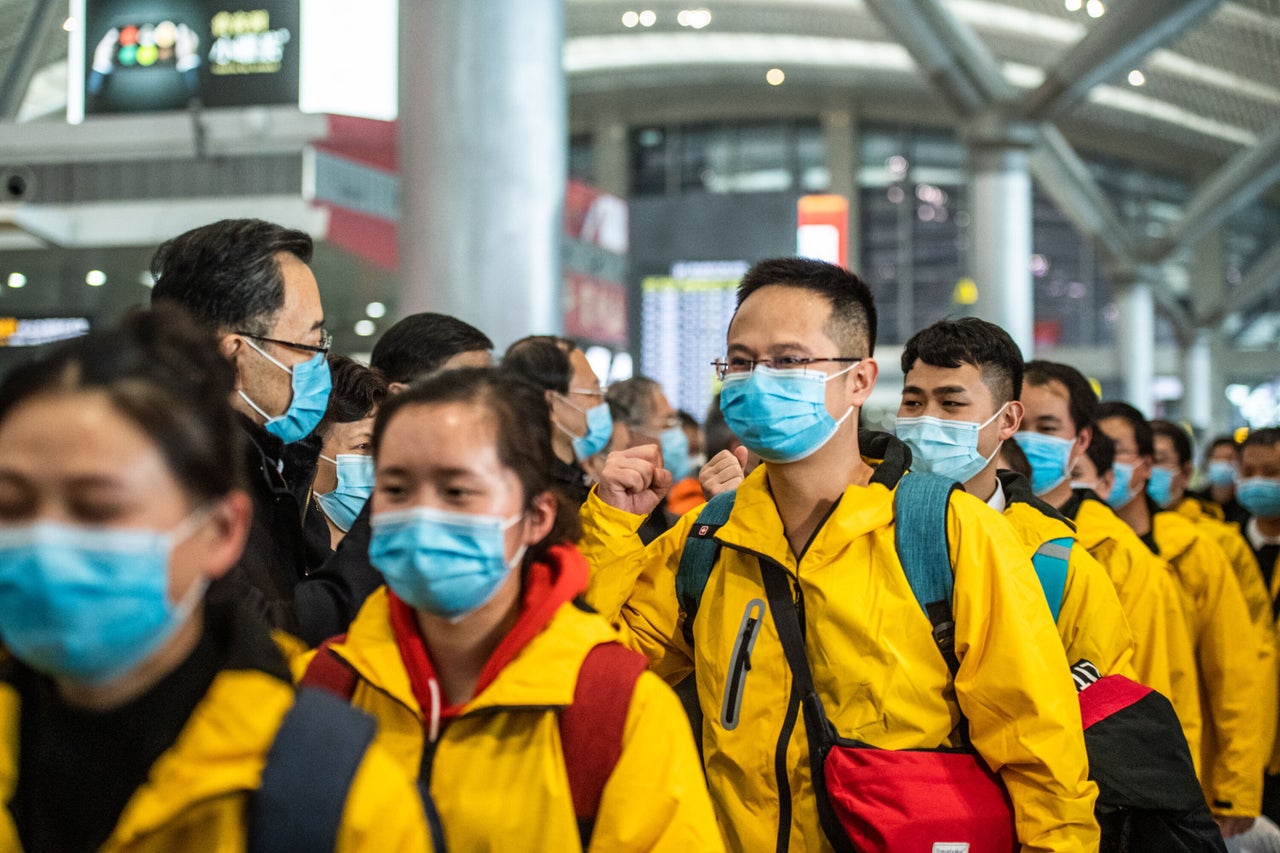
x: 345, y: 476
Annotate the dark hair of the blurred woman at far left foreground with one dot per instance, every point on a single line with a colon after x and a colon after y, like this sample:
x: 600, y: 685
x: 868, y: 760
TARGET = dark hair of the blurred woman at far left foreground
x: 162, y: 372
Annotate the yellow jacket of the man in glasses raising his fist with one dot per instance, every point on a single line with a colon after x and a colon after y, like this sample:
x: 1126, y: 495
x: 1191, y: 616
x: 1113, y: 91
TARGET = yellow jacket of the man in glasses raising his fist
x: 872, y: 654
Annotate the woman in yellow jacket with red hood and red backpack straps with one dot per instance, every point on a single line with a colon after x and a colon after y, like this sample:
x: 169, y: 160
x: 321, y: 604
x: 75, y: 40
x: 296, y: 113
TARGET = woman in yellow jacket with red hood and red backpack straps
x: 472, y: 656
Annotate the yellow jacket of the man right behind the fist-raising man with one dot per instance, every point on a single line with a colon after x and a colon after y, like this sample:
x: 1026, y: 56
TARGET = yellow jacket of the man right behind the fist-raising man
x: 1091, y: 622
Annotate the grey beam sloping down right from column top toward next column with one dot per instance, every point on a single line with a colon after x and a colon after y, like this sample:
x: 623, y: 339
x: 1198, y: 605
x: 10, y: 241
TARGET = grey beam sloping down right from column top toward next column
x: 1063, y: 175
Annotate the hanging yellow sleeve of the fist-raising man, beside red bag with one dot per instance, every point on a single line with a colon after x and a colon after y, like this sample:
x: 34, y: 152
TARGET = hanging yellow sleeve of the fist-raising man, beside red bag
x: 1014, y: 686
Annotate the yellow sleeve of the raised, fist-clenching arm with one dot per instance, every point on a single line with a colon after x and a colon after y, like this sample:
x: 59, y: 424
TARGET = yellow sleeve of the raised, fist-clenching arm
x: 634, y: 587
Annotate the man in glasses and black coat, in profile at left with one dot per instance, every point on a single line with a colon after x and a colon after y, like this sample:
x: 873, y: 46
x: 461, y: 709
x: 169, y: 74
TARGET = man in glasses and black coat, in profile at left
x: 249, y: 282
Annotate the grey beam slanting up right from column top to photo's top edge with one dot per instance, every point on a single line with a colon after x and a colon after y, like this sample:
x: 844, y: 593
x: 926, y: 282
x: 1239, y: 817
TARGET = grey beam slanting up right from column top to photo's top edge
x: 1132, y: 31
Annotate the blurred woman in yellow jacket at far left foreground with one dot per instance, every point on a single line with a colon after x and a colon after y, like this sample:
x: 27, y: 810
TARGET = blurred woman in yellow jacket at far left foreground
x: 134, y: 717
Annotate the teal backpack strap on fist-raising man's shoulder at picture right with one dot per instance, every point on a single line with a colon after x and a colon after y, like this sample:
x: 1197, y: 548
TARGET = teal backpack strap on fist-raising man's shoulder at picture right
x: 921, y: 539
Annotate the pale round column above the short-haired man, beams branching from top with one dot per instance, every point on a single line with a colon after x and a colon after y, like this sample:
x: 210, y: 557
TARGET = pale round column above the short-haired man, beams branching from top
x: 1002, y: 189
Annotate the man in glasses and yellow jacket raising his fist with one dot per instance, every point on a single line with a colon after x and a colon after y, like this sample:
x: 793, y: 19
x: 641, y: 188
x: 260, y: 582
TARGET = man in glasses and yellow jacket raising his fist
x: 799, y: 366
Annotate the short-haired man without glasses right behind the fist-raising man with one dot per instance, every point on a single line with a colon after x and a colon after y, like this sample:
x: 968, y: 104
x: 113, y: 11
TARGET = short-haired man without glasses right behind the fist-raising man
x: 961, y: 389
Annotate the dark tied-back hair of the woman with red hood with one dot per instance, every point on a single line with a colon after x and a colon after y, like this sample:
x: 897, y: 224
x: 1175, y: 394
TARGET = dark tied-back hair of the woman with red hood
x: 524, y: 428
